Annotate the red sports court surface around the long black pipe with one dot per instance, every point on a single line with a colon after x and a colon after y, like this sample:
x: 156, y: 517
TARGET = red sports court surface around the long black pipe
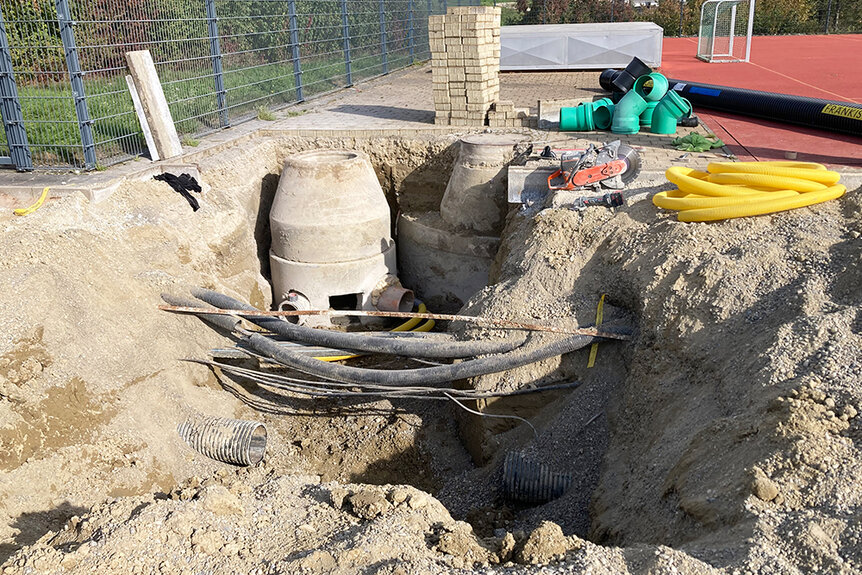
x: 828, y: 67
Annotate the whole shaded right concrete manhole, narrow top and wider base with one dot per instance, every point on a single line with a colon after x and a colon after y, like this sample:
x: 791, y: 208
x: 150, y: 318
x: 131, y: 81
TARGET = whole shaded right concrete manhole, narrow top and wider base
x: 445, y: 256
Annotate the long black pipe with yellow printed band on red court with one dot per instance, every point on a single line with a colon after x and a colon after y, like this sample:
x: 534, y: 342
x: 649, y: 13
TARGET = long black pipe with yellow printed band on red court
x: 845, y: 117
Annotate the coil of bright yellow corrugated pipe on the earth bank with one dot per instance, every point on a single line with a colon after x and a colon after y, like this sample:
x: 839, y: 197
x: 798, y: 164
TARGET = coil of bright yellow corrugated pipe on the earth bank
x: 736, y: 189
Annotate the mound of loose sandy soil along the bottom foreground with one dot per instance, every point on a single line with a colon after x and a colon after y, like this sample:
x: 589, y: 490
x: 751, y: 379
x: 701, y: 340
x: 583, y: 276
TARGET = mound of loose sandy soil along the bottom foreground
x: 259, y: 521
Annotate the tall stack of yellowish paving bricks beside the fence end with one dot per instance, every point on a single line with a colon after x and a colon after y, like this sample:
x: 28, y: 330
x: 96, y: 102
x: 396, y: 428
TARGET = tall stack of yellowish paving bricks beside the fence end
x: 465, y: 60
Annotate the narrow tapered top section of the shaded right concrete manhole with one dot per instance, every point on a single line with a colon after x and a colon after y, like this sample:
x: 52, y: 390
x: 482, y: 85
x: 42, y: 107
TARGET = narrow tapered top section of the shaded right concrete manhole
x: 475, y: 198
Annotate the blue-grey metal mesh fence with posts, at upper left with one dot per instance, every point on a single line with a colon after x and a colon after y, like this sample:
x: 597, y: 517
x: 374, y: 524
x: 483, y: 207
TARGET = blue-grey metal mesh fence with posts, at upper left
x: 63, y: 94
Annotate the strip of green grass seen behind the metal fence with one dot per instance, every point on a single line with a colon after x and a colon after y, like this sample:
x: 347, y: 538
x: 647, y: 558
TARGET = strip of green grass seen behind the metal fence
x: 52, y: 125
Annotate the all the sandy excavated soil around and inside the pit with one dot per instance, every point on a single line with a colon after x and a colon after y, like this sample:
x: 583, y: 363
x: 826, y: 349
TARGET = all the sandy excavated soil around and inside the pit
x: 723, y: 438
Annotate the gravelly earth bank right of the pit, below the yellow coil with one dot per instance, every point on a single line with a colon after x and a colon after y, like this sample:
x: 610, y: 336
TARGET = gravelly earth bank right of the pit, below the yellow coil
x: 733, y: 418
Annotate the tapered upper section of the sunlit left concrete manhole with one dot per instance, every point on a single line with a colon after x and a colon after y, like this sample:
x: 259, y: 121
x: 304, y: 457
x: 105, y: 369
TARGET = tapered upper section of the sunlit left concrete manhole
x: 329, y: 207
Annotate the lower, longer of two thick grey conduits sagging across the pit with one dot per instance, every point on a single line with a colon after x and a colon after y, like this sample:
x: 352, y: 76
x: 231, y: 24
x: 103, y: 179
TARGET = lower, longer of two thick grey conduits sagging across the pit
x: 422, y: 376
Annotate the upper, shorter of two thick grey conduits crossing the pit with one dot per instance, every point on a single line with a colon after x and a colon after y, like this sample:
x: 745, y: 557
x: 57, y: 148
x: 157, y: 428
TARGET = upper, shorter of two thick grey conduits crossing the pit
x: 340, y: 340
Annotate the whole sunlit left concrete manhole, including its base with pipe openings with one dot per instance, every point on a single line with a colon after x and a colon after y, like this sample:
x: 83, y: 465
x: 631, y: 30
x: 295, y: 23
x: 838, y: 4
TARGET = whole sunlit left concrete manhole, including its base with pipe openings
x: 330, y: 236
